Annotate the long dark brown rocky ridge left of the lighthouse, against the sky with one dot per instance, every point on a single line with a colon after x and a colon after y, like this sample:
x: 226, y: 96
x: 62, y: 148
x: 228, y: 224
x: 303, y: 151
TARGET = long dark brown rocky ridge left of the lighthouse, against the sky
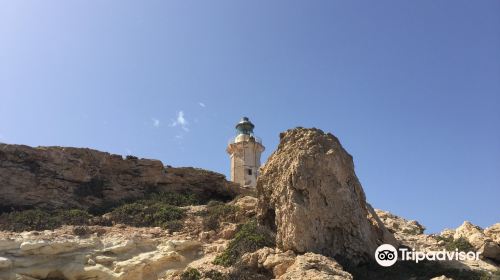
x: 57, y: 177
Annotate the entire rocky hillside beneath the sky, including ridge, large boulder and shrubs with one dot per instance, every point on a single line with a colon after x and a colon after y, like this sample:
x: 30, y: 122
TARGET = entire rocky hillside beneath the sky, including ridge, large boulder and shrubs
x: 309, y: 219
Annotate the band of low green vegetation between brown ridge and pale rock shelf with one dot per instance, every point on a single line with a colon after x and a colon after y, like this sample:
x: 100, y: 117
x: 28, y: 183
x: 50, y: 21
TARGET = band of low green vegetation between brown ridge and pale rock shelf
x: 157, y: 209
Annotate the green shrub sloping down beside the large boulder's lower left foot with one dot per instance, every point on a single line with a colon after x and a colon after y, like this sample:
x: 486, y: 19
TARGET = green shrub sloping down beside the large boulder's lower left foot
x: 249, y: 238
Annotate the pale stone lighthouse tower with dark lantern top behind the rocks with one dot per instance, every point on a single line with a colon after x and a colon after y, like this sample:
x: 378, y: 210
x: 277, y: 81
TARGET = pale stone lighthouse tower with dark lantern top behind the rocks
x: 244, y: 150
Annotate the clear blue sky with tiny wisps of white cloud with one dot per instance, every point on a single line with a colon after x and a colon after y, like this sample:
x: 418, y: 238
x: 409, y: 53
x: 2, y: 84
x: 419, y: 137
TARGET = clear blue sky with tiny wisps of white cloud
x: 411, y: 88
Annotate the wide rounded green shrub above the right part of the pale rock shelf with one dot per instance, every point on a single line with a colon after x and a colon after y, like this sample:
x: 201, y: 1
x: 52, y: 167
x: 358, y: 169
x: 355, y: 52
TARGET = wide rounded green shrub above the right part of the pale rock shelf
x: 143, y: 215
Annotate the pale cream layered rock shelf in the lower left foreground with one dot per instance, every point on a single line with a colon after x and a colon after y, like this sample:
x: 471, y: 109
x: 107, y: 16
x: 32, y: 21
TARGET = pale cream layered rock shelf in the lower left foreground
x: 122, y: 253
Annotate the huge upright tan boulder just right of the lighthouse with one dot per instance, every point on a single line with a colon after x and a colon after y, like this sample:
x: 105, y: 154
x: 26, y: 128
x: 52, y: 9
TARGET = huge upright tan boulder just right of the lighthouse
x: 308, y: 192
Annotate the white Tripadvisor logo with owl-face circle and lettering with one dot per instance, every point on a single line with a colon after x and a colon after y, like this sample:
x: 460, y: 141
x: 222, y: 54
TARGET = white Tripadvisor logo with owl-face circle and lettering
x: 386, y: 255
